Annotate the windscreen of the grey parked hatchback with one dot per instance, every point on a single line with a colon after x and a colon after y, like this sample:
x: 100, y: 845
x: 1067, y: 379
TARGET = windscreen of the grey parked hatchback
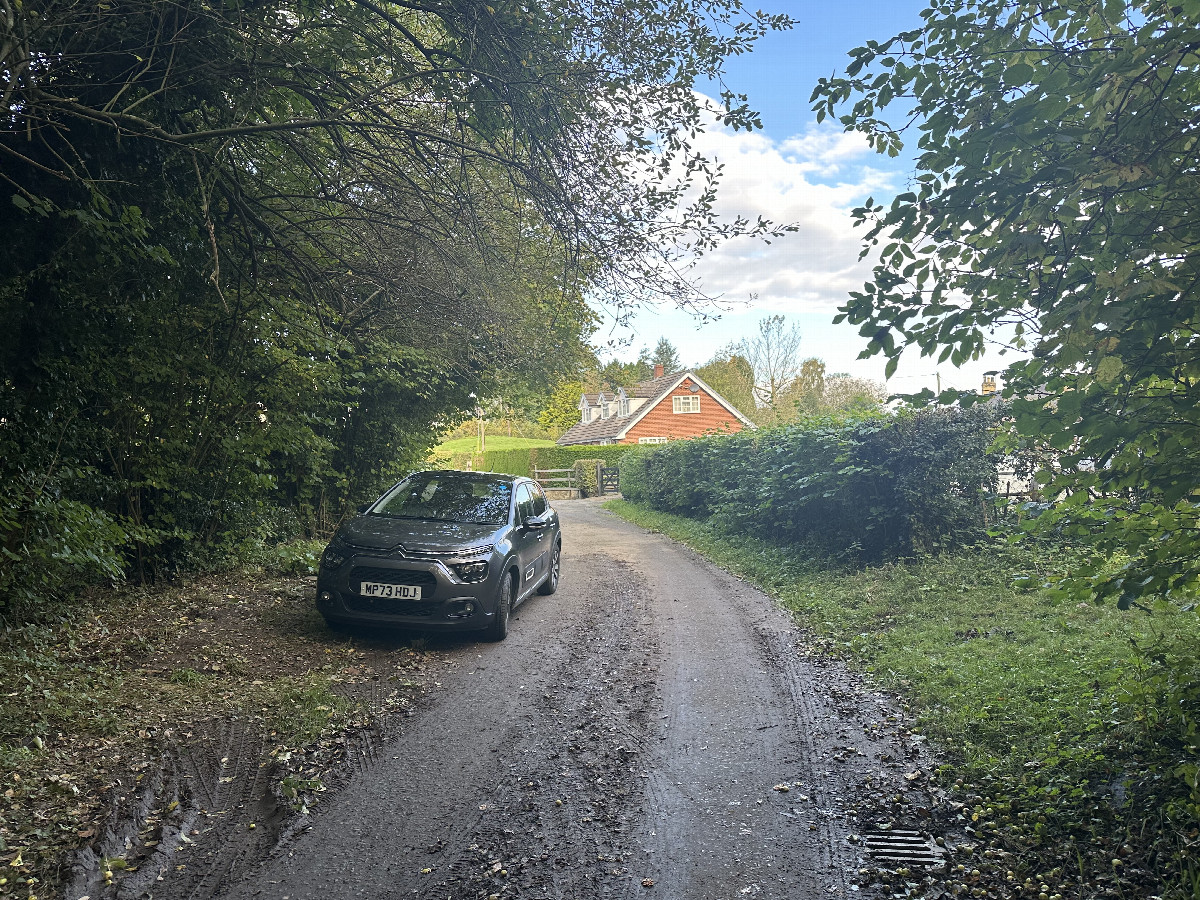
x: 448, y: 497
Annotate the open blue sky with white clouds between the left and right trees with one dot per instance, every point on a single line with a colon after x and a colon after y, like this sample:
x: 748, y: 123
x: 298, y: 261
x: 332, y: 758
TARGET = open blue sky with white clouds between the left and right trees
x: 795, y: 171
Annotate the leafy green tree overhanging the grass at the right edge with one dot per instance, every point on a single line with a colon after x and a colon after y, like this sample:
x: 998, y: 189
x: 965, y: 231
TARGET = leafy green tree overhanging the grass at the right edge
x: 1055, y: 200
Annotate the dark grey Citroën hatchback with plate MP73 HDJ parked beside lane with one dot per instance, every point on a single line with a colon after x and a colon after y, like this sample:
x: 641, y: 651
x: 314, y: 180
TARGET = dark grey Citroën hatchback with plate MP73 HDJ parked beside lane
x: 443, y: 550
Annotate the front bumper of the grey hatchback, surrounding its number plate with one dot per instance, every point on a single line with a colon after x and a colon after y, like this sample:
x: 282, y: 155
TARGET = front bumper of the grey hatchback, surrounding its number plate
x: 446, y: 604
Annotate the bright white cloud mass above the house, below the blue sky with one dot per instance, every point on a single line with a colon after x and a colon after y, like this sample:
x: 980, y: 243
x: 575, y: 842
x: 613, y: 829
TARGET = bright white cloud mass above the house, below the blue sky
x: 812, y: 181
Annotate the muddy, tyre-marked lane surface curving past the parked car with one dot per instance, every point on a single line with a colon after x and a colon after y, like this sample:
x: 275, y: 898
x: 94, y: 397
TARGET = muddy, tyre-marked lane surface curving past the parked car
x: 656, y: 729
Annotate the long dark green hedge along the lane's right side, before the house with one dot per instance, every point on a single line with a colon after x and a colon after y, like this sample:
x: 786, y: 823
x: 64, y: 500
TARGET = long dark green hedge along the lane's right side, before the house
x: 869, y: 488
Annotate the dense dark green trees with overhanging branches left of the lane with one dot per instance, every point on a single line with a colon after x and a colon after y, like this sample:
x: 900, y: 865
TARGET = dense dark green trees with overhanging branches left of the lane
x: 255, y: 256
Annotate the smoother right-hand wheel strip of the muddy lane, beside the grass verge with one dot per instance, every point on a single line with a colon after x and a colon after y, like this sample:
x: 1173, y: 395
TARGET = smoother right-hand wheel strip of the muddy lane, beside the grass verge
x: 766, y: 749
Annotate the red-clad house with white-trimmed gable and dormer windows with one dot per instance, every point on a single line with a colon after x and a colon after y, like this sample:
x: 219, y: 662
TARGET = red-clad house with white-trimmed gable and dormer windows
x: 665, y: 409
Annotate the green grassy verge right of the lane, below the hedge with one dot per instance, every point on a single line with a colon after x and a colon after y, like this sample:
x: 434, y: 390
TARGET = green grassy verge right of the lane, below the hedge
x: 1064, y: 728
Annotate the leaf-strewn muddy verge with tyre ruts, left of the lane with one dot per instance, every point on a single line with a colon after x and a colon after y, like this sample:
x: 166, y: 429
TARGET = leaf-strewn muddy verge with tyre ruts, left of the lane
x: 158, y: 718
